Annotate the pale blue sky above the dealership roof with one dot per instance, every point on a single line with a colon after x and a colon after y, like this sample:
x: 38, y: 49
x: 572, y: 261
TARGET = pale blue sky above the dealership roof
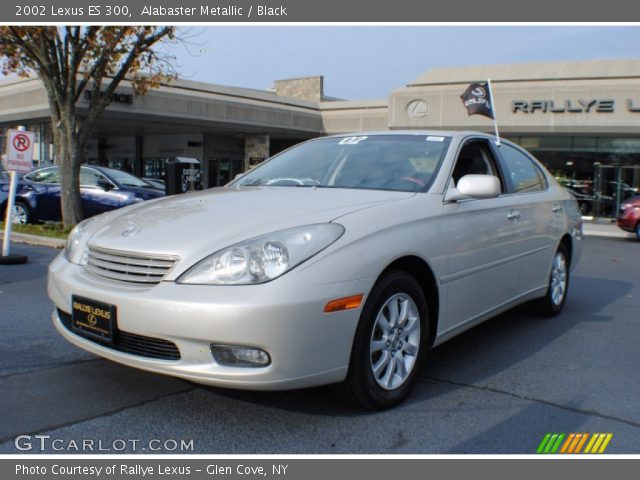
x: 360, y: 62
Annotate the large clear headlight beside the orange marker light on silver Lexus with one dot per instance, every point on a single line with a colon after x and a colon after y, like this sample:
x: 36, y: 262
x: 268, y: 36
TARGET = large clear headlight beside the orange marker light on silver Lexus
x: 263, y: 258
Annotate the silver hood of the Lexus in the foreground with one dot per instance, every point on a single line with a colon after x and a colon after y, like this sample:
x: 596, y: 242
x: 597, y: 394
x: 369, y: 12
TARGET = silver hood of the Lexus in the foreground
x: 195, y: 225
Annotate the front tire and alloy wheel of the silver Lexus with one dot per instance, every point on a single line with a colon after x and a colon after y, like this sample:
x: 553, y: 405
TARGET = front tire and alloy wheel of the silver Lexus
x: 401, y: 341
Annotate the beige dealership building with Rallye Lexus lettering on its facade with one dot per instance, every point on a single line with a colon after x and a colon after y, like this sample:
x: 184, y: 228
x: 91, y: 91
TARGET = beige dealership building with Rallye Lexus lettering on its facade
x: 580, y: 118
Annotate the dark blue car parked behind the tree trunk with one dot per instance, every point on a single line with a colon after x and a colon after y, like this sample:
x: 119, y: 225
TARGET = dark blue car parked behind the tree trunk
x: 101, y: 189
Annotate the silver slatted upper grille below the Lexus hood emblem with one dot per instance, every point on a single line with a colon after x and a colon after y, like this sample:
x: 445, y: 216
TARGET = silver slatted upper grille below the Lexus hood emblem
x: 129, y: 267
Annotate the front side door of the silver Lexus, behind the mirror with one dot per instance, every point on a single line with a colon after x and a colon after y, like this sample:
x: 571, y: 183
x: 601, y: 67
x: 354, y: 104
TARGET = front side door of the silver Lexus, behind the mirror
x: 482, y: 264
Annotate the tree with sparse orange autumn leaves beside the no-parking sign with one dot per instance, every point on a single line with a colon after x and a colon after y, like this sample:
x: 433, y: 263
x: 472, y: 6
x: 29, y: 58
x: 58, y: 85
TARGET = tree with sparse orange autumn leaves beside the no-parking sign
x: 73, y: 60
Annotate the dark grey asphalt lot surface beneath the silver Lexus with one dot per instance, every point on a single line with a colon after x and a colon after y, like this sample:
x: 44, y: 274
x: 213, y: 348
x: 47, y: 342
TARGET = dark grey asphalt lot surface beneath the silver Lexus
x: 495, y: 389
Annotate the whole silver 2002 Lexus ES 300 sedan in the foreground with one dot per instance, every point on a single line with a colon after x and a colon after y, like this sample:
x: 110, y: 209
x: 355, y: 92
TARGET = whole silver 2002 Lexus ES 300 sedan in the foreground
x: 341, y: 260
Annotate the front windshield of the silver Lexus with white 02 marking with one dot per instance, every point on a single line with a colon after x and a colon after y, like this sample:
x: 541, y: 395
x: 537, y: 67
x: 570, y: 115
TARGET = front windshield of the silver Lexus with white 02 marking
x: 377, y: 162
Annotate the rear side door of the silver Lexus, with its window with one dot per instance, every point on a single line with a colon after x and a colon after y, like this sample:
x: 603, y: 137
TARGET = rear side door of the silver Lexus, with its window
x: 538, y: 216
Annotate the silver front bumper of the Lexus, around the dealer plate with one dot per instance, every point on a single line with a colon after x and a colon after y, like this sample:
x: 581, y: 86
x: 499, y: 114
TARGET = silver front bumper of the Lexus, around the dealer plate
x: 284, y: 318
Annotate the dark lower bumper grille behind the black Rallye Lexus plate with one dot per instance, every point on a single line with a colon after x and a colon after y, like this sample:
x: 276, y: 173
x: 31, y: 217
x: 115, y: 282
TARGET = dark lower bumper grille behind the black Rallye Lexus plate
x: 130, y: 342
